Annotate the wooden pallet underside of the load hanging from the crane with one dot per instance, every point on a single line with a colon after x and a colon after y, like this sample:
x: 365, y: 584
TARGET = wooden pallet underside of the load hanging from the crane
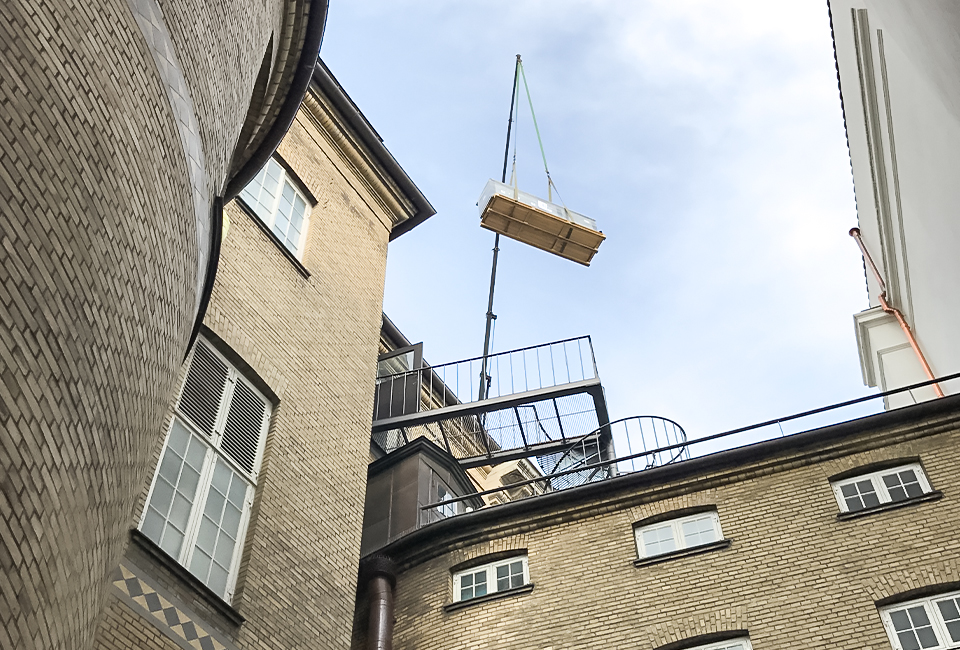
x: 541, y: 229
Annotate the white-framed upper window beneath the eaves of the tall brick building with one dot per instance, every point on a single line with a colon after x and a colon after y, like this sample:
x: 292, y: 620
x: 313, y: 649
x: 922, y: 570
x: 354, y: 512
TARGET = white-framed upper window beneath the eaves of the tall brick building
x: 281, y: 206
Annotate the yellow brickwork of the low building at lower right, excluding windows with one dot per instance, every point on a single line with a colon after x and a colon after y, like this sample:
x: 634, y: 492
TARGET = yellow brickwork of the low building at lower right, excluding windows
x: 794, y: 575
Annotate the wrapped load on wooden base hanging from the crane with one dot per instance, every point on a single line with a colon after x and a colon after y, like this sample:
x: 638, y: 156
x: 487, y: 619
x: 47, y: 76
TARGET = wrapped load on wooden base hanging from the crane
x: 550, y: 227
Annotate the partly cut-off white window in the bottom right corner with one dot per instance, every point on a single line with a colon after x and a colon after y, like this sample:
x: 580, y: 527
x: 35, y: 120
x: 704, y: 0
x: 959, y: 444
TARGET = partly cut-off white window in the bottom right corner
x: 926, y: 623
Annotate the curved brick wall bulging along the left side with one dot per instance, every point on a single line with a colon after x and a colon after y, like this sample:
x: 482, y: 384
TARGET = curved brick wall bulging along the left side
x: 118, y: 124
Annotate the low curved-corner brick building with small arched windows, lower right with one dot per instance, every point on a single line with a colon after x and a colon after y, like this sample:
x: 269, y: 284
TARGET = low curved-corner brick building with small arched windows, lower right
x: 840, y: 537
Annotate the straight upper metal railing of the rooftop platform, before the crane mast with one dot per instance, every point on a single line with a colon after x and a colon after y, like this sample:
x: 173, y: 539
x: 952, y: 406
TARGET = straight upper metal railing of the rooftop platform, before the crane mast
x: 529, y: 369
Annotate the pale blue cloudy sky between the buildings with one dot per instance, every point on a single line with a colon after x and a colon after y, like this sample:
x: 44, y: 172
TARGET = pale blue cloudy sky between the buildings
x: 707, y: 140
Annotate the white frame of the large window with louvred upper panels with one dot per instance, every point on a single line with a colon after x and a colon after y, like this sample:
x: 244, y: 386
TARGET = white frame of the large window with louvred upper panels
x: 212, y: 455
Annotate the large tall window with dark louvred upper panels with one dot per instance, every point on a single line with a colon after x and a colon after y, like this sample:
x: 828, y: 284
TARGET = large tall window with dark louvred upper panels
x: 199, y: 503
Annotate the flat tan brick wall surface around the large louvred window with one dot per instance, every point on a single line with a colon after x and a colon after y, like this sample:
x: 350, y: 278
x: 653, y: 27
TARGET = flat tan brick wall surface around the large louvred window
x: 313, y: 342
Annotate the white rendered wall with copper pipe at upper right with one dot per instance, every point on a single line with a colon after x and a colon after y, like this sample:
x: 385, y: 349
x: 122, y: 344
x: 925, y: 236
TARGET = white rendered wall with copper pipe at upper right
x: 899, y: 64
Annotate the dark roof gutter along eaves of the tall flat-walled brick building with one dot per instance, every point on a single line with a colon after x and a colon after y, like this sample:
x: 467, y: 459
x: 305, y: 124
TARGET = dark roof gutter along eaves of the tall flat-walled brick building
x: 337, y: 96
